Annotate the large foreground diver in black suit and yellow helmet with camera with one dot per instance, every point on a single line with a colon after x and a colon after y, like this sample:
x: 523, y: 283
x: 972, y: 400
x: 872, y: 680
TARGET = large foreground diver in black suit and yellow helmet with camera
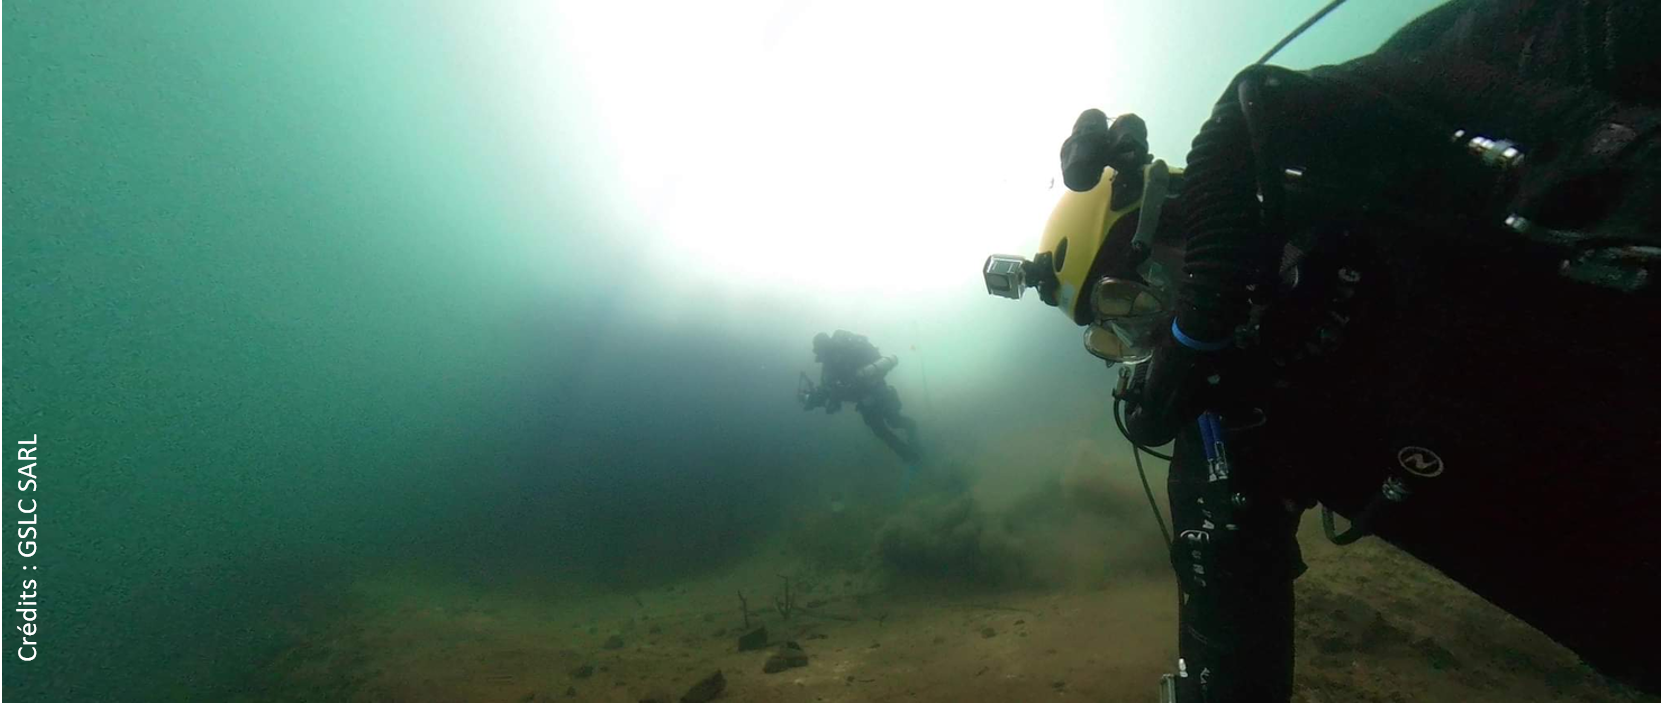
x: 1418, y: 288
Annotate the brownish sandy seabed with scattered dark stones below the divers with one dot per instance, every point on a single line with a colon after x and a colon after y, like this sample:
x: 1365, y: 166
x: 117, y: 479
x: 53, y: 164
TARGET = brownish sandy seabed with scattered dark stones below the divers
x: 1374, y: 626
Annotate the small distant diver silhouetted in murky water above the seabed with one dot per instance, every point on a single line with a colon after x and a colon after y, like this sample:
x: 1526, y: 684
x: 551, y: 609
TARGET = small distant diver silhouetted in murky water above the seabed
x: 855, y: 371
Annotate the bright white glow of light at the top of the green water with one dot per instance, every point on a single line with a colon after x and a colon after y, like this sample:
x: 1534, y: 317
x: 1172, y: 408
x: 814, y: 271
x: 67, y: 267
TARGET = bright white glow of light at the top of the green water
x: 828, y: 147
